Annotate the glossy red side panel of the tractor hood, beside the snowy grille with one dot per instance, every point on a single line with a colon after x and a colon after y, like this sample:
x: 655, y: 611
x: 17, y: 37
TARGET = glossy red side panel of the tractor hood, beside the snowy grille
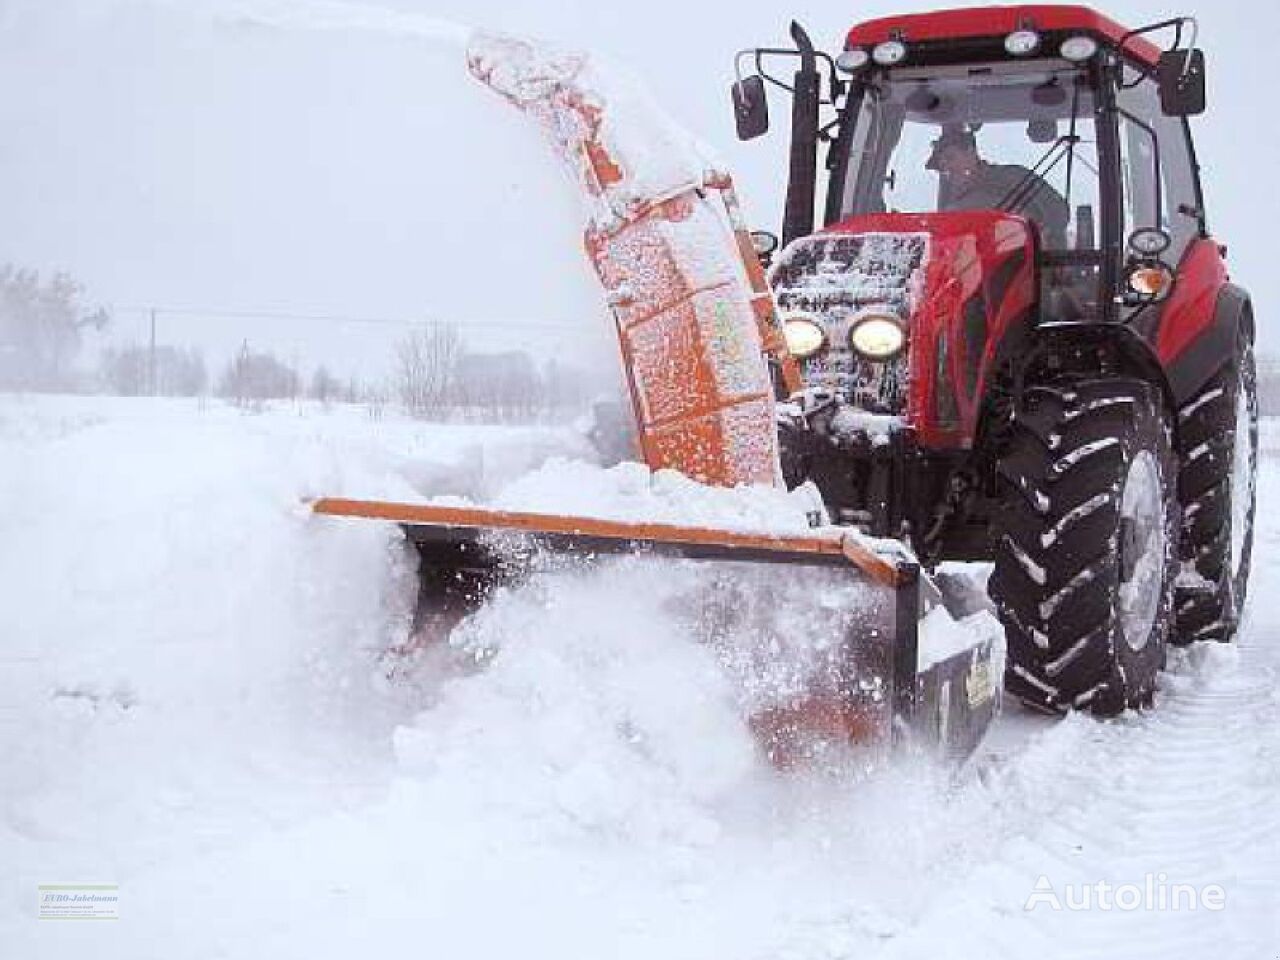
x: 972, y: 254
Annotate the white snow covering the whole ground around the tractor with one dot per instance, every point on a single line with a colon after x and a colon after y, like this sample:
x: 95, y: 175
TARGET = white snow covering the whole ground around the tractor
x: 194, y: 706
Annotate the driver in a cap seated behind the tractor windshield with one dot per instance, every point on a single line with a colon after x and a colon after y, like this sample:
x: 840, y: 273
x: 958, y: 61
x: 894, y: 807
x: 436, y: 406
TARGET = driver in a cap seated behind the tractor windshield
x: 968, y: 182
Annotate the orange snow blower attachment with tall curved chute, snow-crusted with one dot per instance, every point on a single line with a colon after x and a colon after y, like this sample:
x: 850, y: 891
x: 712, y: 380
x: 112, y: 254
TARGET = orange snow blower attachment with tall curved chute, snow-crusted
x: 705, y: 358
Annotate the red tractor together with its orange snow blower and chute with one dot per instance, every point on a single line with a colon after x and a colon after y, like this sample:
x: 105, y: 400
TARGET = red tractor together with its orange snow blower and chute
x: 1013, y: 340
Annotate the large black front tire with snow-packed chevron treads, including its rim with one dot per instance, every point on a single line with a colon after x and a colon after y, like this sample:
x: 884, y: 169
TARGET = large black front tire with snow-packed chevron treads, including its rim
x: 1086, y: 545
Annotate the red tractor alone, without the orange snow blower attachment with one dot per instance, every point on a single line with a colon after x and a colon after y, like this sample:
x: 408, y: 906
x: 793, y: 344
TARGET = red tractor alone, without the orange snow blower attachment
x: 1017, y: 335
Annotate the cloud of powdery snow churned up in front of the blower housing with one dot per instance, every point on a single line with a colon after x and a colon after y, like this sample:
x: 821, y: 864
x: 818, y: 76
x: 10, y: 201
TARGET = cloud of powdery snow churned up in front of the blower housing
x: 621, y: 696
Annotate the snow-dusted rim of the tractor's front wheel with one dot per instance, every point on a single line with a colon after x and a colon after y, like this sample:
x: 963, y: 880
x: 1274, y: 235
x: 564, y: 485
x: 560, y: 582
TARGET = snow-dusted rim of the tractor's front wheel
x: 1142, y: 525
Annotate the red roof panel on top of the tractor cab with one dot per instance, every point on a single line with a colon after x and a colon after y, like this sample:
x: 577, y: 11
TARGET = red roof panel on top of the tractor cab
x: 996, y: 22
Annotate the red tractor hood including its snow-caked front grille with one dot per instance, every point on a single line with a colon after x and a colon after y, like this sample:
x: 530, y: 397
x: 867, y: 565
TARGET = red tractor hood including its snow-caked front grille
x: 956, y: 281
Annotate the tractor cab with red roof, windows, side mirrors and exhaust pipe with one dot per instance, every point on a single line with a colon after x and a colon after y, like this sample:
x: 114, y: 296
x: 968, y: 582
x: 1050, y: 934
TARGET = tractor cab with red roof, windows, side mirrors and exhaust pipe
x: 1054, y: 115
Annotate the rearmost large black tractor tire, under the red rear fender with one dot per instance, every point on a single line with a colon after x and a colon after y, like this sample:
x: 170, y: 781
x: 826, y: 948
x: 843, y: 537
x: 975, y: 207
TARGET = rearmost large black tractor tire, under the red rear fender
x: 1219, y: 452
